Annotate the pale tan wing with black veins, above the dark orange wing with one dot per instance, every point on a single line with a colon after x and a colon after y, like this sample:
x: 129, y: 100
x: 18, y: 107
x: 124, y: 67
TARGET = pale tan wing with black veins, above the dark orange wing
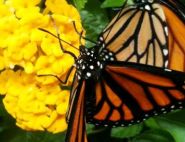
x: 138, y: 34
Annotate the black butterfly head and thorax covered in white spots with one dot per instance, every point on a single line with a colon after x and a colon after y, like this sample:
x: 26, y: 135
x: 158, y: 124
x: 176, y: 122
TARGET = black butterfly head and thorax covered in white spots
x: 90, y: 63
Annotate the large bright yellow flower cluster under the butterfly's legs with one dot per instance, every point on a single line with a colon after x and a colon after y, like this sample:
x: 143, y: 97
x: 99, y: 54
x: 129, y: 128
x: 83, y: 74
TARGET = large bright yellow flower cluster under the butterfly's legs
x: 37, y: 103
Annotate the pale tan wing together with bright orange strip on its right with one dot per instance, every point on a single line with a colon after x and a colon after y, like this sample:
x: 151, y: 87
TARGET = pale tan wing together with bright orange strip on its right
x: 148, y: 33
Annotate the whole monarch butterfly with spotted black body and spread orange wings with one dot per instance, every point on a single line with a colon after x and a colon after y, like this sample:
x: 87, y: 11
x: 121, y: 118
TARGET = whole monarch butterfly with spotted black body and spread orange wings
x: 135, y: 71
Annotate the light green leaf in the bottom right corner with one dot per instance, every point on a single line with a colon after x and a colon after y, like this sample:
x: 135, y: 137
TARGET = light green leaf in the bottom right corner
x: 174, y: 127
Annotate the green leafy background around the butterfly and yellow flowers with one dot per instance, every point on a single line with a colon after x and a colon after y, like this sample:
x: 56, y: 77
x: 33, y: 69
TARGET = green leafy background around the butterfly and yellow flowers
x: 165, y: 128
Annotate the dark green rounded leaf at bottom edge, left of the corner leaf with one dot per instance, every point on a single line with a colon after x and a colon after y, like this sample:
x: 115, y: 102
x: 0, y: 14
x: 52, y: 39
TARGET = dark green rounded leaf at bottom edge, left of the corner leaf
x: 155, y: 135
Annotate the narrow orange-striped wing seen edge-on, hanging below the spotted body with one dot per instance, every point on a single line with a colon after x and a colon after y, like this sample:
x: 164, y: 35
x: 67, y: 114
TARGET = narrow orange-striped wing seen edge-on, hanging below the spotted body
x: 76, y: 131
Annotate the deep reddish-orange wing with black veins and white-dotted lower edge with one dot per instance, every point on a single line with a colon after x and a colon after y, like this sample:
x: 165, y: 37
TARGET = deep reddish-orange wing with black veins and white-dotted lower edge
x: 128, y: 93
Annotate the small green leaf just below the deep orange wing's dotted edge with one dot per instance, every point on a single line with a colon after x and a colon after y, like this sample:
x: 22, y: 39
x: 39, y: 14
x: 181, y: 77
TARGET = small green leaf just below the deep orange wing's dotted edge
x: 126, y: 132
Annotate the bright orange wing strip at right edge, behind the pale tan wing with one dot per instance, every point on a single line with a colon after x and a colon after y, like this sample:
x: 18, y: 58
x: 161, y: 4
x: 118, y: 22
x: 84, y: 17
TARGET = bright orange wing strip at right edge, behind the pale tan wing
x: 175, y: 17
